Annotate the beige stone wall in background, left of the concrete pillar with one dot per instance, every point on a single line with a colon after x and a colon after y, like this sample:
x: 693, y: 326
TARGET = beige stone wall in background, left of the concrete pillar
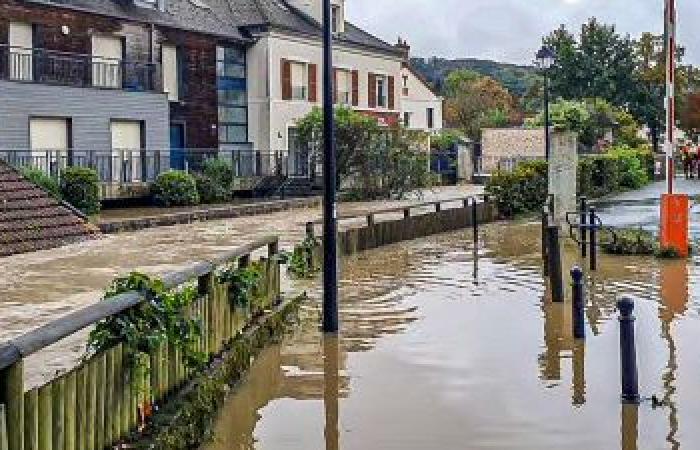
x: 504, y: 143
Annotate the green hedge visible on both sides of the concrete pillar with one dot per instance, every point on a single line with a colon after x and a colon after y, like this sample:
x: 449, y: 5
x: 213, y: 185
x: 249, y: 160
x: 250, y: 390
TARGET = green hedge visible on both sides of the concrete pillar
x: 524, y: 190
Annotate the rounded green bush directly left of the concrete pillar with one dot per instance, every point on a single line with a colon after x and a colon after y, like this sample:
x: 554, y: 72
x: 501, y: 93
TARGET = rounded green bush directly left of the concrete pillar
x: 520, y: 191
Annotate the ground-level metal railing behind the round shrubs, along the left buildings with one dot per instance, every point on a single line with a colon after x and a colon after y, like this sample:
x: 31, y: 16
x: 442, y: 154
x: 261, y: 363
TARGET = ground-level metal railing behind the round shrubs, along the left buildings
x: 144, y: 166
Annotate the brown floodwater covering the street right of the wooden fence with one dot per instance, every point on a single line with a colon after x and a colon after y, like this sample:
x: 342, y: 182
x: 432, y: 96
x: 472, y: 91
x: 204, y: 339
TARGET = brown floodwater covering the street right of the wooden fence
x: 436, y: 352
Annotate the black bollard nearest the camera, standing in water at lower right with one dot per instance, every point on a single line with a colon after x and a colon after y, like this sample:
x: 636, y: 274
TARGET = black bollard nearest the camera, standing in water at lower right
x: 628, y: 352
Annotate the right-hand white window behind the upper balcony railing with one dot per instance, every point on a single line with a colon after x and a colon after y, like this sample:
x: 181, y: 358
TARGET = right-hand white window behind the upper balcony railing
x: 107, y: 53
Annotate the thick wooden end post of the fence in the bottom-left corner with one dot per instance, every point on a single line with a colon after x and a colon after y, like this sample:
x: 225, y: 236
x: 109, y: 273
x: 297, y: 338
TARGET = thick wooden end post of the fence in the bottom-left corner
x: 12, y: 395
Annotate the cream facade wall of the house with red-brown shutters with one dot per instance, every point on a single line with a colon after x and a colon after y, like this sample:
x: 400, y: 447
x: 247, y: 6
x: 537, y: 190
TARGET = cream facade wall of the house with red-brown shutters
x: 270, y: 117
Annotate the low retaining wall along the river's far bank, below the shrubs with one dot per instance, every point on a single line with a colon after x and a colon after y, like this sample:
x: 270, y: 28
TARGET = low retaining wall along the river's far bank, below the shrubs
x: 201, y: 215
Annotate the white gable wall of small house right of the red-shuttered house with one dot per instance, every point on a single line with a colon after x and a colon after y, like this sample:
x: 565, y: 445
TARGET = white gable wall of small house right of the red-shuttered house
x: 417, y: 102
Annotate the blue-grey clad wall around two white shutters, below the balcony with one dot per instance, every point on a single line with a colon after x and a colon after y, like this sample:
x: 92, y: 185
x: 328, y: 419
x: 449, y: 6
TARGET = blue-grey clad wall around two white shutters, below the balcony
x: 89, y: 109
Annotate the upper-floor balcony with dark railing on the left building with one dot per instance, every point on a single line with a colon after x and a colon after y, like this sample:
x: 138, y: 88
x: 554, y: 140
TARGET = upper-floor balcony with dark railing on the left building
x: 35, y: 65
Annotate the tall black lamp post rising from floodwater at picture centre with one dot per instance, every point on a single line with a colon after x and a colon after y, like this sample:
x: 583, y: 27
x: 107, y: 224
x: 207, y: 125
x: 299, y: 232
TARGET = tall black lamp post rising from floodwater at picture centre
x: 330, y: 225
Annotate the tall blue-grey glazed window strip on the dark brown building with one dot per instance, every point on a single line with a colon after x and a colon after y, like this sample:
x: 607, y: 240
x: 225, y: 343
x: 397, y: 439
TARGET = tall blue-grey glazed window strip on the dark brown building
x: 232, y: 95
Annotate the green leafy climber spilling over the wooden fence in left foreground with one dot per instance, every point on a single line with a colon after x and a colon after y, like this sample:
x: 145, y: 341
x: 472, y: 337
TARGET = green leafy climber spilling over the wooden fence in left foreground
x: 161, y: 318
